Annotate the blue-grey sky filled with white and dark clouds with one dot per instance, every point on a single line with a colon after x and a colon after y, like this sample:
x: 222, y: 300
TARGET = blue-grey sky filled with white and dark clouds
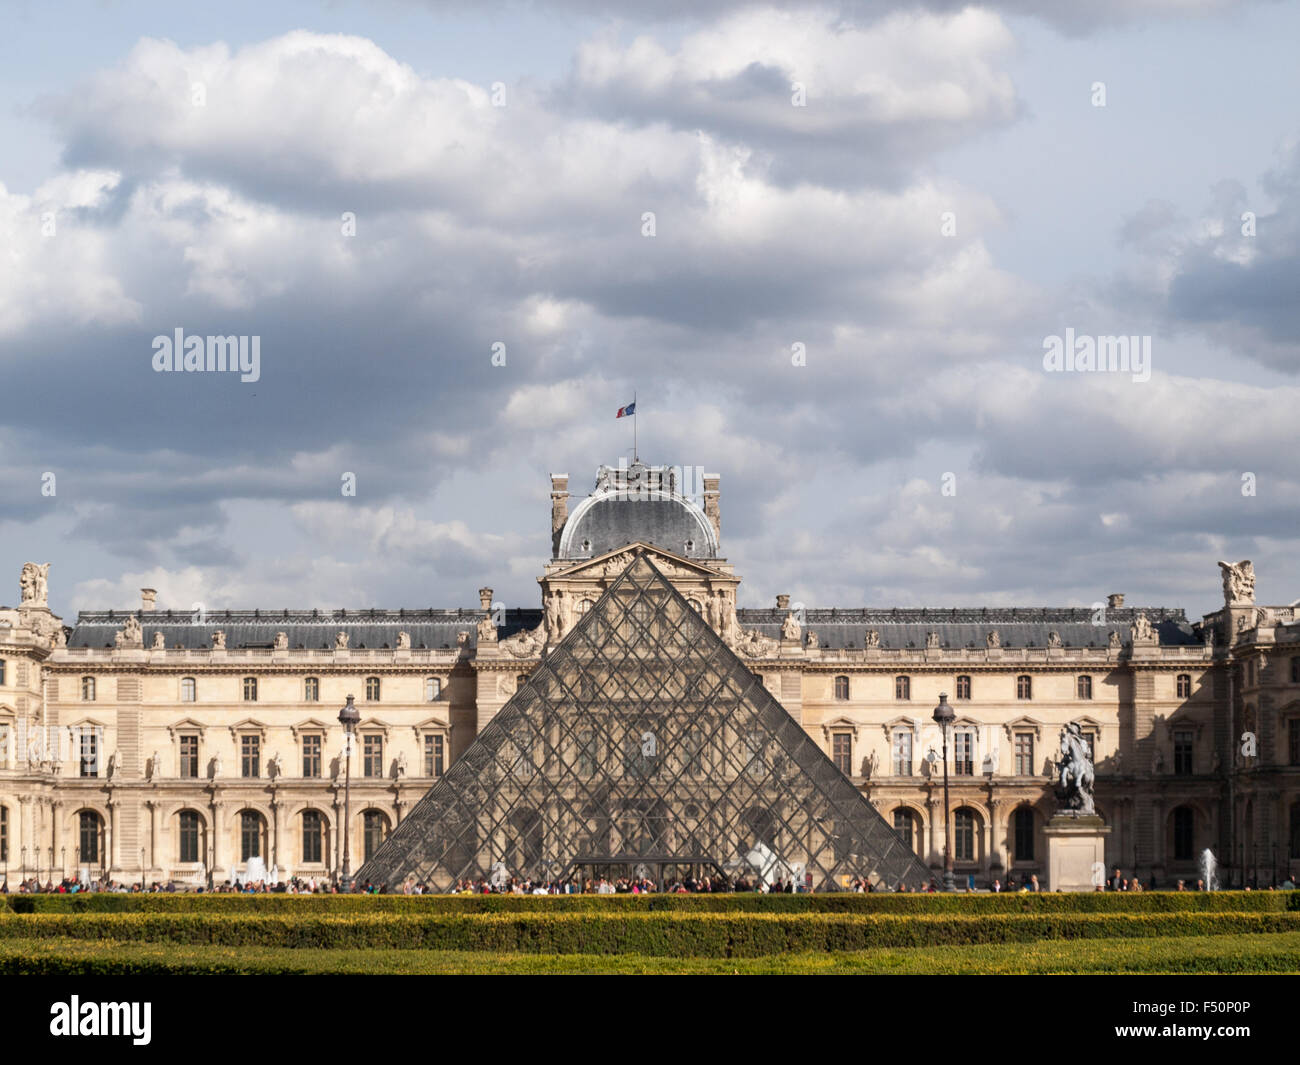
x: 917, y: 196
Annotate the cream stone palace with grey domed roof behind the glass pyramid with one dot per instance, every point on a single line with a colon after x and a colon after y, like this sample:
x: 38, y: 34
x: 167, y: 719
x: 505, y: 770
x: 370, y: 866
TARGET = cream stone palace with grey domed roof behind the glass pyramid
x: 155, y: 744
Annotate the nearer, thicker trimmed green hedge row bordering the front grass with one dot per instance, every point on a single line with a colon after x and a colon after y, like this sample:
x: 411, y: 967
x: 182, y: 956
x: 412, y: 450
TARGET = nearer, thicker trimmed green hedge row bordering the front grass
x: 658, y: 934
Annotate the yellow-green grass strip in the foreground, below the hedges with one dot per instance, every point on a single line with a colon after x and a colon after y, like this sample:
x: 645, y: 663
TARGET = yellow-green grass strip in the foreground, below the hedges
x: 1214, y: 954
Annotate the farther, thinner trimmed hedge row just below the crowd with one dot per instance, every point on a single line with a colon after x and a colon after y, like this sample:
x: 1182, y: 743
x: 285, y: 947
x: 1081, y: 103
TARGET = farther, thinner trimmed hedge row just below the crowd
x: 1236, y: 902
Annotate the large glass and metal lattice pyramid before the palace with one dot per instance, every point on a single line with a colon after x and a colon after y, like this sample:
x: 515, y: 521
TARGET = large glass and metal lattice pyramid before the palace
x: 643, y: 746
